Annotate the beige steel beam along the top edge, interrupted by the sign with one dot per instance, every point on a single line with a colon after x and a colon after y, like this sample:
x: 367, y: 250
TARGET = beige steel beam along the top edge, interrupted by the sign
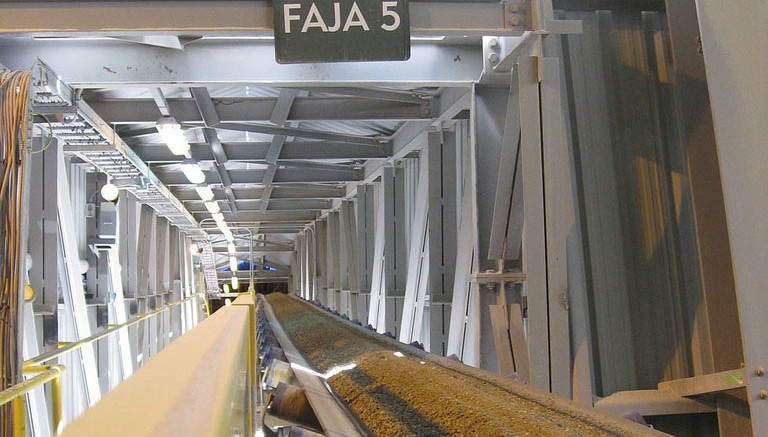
x: 229, y: 18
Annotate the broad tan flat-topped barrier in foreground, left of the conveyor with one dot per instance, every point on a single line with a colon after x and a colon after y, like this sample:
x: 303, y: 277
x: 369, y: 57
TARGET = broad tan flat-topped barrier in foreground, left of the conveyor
x: 207, y: 396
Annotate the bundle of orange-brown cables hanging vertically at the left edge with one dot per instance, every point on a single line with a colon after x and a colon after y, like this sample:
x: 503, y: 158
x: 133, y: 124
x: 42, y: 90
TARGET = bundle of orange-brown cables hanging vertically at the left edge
x: 14, y: 96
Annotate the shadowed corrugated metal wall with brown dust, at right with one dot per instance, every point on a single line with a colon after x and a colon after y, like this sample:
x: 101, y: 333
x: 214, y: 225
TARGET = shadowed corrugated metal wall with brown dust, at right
x: 636, y: 203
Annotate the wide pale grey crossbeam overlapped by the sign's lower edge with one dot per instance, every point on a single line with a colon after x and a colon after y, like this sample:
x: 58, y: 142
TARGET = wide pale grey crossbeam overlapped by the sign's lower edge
x: 113, y: 63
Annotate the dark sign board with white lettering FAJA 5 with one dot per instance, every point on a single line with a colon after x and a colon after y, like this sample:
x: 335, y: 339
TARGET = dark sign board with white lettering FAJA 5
x: 341, y: 30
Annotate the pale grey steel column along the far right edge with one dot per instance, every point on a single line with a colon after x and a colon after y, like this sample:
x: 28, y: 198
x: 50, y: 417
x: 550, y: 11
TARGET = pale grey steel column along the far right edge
x: 732, y: 37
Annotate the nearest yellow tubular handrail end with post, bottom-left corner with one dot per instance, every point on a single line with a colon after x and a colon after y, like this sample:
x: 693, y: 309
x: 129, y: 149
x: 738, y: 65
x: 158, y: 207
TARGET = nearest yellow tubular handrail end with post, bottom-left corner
x: 17, y: 392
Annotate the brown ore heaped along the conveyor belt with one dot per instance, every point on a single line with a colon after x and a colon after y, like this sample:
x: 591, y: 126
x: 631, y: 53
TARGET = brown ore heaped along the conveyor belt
x: 412, y: 394
